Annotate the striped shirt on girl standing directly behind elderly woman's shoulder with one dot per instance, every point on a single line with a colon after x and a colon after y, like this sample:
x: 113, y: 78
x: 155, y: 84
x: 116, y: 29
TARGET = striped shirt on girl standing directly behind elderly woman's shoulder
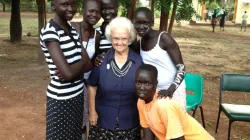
x: 105, y: 44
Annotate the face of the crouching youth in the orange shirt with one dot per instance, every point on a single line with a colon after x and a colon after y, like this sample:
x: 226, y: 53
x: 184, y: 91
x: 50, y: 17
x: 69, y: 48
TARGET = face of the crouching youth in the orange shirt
x: 145, y: 85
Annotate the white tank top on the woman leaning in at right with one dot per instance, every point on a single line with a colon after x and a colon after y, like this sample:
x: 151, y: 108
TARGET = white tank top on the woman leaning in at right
x: 162, y: 61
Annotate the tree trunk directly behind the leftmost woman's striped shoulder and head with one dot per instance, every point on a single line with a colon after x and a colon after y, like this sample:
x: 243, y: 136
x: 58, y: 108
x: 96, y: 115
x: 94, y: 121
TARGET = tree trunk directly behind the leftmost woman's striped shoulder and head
x: 41, y: 23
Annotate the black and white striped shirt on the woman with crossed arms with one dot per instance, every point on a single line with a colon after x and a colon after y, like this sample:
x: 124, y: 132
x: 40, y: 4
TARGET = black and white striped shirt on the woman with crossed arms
x: 71, y: 48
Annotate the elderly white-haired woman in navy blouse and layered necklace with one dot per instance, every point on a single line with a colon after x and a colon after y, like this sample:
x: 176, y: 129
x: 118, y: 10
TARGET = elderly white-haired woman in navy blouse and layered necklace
x: 113, y: 112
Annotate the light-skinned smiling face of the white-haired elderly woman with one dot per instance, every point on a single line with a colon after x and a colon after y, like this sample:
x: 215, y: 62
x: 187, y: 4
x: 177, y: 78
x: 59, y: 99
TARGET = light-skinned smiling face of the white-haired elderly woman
x: 120, y: 39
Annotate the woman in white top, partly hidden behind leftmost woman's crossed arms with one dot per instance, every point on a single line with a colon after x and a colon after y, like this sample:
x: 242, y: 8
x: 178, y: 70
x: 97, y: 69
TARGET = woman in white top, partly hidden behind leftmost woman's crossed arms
x: 90, y: 39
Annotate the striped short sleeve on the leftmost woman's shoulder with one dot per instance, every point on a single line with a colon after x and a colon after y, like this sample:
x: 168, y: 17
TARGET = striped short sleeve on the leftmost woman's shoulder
x: 48, y: 33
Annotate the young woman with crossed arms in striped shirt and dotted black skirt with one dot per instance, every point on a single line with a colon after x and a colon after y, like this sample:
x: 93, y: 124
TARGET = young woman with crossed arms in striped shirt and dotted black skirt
x: 67, y: 60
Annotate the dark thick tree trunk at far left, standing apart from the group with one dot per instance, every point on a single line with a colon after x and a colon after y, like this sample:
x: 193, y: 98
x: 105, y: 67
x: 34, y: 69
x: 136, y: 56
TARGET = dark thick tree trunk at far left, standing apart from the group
x: 15, y: 22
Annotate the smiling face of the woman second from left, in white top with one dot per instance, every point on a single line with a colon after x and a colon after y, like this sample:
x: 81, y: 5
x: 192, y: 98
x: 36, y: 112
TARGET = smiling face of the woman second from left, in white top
x: 91, y: 13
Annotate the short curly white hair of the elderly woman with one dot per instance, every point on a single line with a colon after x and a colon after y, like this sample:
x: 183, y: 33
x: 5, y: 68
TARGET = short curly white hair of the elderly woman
x: 120, y: 22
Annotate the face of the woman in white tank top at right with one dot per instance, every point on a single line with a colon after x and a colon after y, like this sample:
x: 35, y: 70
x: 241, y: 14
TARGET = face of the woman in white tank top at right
x: 142, y: 23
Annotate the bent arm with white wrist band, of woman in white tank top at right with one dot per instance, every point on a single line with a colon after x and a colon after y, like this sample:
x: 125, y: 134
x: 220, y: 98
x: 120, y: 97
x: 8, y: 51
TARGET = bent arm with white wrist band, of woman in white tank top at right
x: 173, y: 50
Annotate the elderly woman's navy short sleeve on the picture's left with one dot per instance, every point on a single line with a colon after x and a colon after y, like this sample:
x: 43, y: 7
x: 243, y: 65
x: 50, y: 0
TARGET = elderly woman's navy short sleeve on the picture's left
x: 94, y: 76
